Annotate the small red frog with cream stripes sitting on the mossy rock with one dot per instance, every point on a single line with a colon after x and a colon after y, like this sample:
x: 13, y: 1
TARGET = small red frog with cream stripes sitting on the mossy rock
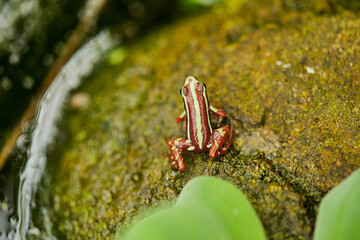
x: 200, y: 136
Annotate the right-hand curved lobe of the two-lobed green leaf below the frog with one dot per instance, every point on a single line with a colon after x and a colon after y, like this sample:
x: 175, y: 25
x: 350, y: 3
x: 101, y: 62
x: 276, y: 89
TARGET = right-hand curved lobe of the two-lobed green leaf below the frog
x: 226, y: 203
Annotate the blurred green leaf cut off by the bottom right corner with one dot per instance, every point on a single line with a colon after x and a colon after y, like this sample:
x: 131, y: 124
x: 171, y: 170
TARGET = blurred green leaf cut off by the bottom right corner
x: 339, y: 212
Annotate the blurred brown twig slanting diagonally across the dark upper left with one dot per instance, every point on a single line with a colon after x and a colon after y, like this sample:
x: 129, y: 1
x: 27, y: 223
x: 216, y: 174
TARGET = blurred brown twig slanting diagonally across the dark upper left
x: 88, y: 19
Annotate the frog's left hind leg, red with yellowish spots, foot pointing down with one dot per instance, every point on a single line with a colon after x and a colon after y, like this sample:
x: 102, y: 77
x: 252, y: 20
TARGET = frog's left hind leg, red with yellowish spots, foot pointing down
x: 177, y: 146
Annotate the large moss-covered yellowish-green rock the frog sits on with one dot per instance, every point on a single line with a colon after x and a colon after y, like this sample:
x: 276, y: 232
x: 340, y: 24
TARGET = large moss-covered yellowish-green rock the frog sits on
x: 288, y: 80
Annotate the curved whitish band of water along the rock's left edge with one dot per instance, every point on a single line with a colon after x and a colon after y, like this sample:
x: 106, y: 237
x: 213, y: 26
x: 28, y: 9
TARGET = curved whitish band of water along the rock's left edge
x: 19, y: 226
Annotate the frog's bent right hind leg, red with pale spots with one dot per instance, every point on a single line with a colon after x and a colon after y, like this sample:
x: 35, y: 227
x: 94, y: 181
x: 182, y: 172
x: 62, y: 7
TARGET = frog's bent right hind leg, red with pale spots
x: 217, y: 142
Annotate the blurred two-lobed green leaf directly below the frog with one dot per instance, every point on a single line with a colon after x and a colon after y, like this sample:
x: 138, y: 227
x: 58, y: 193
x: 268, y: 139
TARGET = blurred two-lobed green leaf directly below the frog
x: 207, y: 208
